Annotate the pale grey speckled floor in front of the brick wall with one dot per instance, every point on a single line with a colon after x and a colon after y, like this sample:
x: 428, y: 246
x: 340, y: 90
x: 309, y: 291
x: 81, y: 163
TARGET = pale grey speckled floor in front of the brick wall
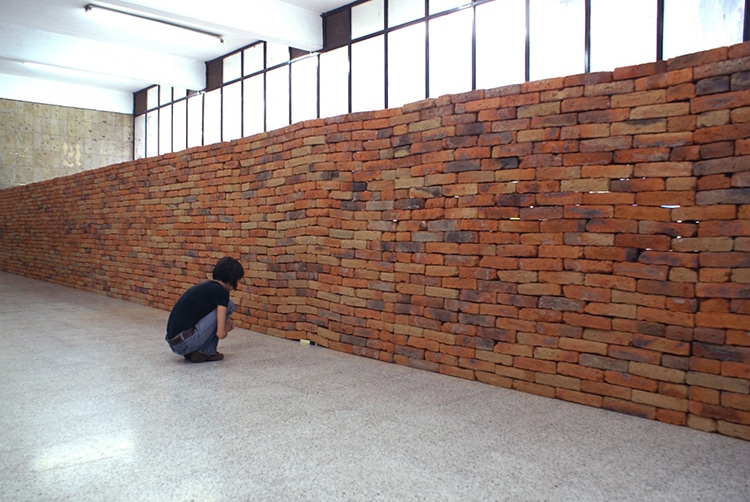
x: 96, y: 407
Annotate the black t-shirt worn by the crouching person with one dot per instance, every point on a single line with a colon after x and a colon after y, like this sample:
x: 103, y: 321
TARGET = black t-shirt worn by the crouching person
x: 195, y: 304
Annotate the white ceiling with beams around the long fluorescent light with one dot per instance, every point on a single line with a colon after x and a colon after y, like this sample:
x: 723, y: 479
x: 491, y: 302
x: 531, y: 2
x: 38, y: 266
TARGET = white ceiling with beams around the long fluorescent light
x: 98, y: 66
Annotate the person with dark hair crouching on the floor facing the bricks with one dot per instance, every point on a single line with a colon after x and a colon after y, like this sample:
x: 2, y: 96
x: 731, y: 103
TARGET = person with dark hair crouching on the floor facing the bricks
x: 200, y: 318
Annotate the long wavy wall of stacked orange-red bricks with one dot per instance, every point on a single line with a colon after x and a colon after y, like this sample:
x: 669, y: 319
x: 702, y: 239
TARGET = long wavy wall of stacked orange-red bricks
x: 584, y: 238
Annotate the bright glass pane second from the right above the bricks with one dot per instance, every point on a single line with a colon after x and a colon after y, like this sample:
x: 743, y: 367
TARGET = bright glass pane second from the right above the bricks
x: 612, y: 26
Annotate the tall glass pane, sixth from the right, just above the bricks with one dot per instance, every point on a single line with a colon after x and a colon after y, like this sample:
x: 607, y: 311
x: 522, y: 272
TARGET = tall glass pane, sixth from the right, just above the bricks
x: 406, y: 65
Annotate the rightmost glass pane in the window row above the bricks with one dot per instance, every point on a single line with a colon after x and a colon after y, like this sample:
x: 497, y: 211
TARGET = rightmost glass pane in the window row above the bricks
x: 697, y: 25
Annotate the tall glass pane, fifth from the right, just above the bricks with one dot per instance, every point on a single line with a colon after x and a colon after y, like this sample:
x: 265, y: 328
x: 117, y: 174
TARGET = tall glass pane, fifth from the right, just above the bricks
x: 450, y: 53
